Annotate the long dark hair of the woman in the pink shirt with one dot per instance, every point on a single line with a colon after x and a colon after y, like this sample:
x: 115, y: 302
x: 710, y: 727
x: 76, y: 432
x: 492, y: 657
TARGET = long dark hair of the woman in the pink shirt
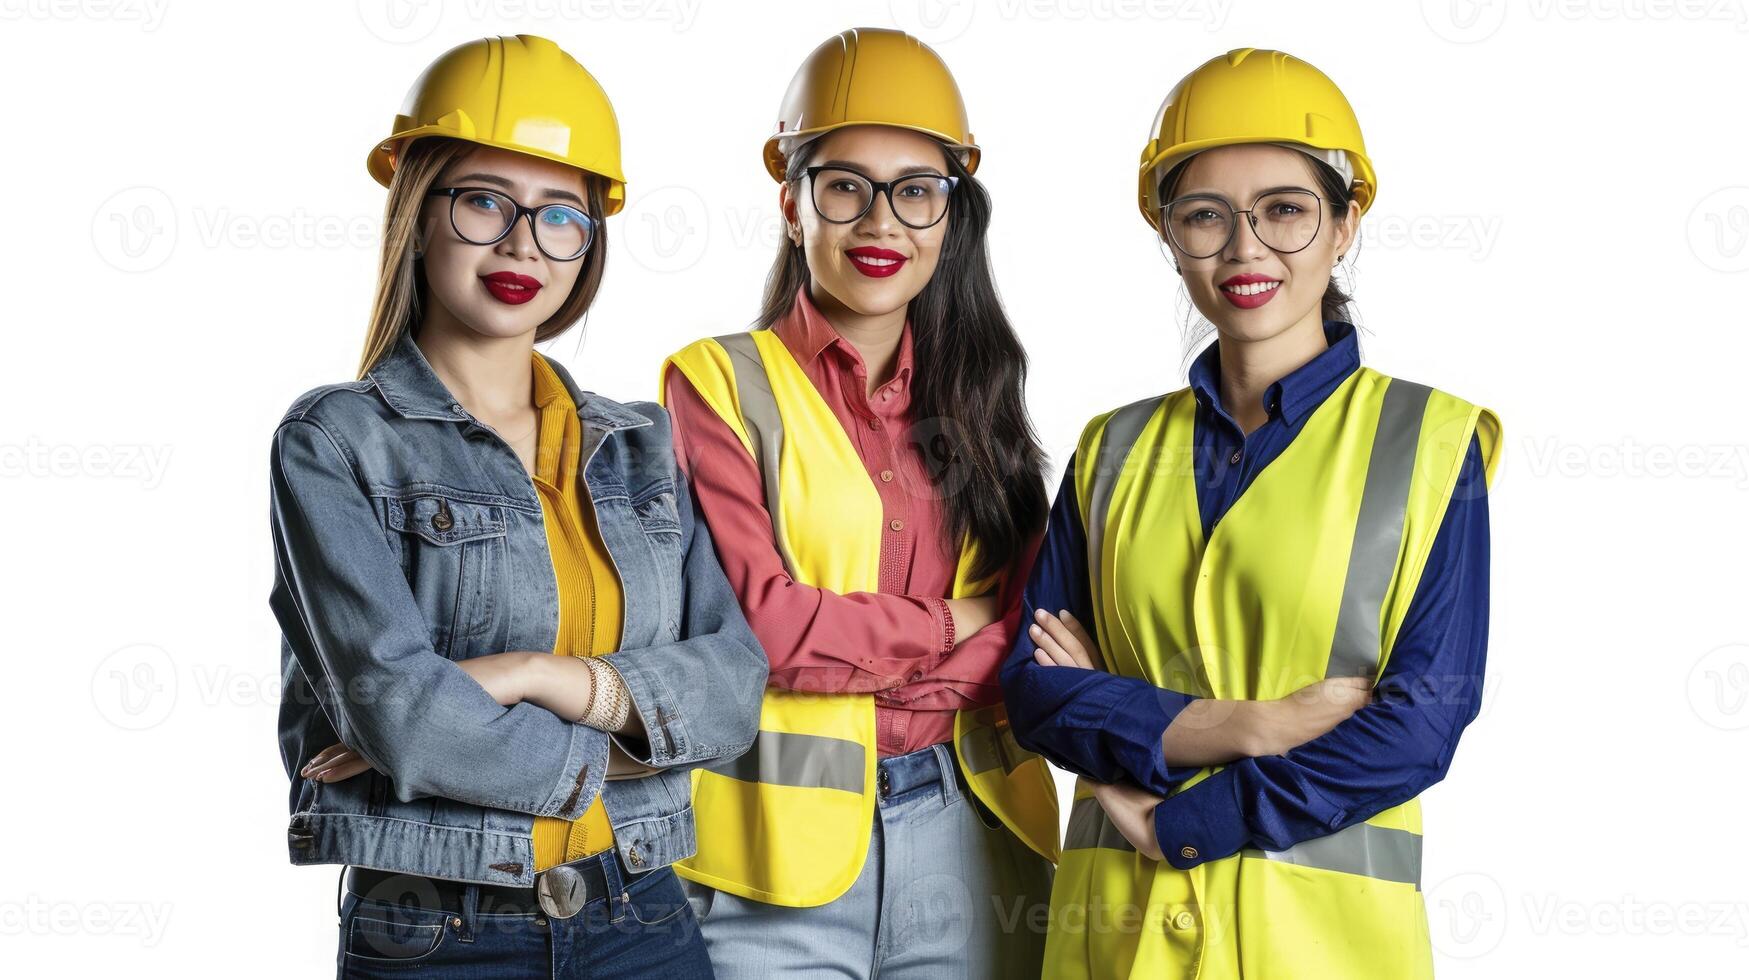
x: 968, y: 382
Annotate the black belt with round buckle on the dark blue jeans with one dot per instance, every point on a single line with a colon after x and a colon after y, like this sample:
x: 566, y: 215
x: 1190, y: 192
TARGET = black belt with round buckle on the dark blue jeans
x: 559, y: 892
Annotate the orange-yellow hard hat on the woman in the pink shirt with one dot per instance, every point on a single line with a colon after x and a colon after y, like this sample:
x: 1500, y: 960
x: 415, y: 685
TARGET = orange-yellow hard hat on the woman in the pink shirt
x: 872, y: 78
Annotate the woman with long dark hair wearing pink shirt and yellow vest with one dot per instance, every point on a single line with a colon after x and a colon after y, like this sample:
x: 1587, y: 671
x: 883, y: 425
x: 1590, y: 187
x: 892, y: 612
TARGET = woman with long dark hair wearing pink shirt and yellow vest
x: 875, y: 493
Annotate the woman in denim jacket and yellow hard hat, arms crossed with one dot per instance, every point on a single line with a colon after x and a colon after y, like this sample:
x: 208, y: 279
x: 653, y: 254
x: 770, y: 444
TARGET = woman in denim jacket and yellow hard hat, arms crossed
x: 463, y: 514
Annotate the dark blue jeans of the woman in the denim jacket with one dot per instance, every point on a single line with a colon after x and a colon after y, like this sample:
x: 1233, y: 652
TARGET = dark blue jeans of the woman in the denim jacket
x: 646, y: 930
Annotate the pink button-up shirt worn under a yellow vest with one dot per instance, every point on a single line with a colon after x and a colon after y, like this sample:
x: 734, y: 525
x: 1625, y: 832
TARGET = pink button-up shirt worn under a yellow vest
x: 891, y: 643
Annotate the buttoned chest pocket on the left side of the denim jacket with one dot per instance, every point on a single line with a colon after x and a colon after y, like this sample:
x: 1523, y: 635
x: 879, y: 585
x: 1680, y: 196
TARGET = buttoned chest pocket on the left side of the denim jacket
x: 452, y: 550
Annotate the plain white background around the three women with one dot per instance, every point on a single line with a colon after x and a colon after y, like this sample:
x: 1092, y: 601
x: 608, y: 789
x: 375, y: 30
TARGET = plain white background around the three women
x: 1563, y: 235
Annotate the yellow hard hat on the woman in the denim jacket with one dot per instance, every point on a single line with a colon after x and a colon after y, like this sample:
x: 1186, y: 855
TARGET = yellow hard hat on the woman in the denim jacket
x: 517, y: 94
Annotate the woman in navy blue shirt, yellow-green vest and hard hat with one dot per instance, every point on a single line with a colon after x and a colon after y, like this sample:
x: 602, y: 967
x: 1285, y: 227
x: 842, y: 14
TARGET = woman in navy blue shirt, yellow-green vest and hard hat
x: 1260, y: 612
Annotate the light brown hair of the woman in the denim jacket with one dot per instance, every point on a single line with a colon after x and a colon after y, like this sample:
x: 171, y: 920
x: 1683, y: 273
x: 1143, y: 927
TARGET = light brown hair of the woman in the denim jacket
x: 401, y: 277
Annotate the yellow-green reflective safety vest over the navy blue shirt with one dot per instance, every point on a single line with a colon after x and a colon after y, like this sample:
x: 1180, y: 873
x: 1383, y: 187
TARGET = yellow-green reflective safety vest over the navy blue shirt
x: 1307, y: 577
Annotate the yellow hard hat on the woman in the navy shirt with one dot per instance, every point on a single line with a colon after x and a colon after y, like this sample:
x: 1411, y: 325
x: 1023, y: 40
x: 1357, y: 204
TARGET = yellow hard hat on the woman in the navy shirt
x: 1253, y: 97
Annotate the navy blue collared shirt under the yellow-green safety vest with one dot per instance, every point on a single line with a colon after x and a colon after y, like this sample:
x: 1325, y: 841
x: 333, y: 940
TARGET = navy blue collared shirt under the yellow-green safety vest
x: 1110, y: 729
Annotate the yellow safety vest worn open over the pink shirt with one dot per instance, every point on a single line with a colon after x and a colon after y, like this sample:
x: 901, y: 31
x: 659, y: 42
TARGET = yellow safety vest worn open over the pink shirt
x: 790, y: 822
